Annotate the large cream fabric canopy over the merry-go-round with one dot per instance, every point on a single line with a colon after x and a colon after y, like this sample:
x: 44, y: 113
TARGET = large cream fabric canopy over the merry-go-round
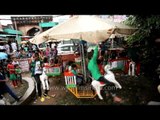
x: 89, y: 28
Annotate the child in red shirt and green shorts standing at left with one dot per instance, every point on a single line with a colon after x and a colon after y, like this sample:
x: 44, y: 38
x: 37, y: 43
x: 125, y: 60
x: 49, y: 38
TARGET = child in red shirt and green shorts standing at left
x: 11, y: 69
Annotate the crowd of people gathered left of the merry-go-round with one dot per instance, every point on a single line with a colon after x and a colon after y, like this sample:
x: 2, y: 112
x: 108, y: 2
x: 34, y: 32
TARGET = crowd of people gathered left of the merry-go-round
x: 11, y: 70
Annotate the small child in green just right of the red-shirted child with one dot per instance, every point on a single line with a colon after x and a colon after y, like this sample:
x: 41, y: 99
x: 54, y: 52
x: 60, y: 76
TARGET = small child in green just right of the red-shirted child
x: 18, y: 72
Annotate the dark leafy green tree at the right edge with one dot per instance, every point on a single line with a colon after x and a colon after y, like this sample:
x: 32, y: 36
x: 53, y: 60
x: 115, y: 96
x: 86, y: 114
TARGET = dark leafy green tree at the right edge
x: 146, y: 35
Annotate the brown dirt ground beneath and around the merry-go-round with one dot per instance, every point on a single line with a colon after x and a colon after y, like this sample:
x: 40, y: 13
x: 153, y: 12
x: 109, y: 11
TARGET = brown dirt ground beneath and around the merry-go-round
x: 135, y: 91
